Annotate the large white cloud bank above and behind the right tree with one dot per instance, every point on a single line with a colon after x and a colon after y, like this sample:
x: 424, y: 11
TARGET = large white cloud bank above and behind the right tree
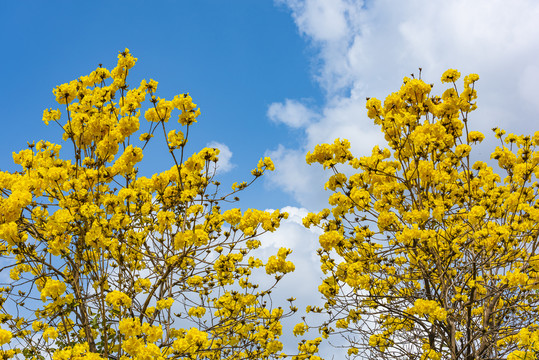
x: 364, y: 49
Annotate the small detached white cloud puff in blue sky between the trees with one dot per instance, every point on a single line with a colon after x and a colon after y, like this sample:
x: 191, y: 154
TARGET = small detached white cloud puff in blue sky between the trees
x: 291, y: 113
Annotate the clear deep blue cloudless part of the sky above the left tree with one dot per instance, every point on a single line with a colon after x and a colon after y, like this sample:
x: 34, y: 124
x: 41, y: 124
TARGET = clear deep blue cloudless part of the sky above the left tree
x: 235, y: 58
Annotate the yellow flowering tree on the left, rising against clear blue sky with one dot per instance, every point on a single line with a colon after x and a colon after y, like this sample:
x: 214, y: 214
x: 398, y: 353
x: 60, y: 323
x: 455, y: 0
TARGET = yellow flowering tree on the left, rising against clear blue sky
x: 105, y: 263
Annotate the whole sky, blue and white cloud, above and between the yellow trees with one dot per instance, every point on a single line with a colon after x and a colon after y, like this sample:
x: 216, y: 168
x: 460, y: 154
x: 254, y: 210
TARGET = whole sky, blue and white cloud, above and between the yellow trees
x: 274, y: 78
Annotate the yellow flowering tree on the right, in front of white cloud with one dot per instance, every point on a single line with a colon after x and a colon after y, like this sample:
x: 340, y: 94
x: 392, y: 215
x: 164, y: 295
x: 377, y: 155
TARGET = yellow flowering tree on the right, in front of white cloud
x: 426, y: 253
